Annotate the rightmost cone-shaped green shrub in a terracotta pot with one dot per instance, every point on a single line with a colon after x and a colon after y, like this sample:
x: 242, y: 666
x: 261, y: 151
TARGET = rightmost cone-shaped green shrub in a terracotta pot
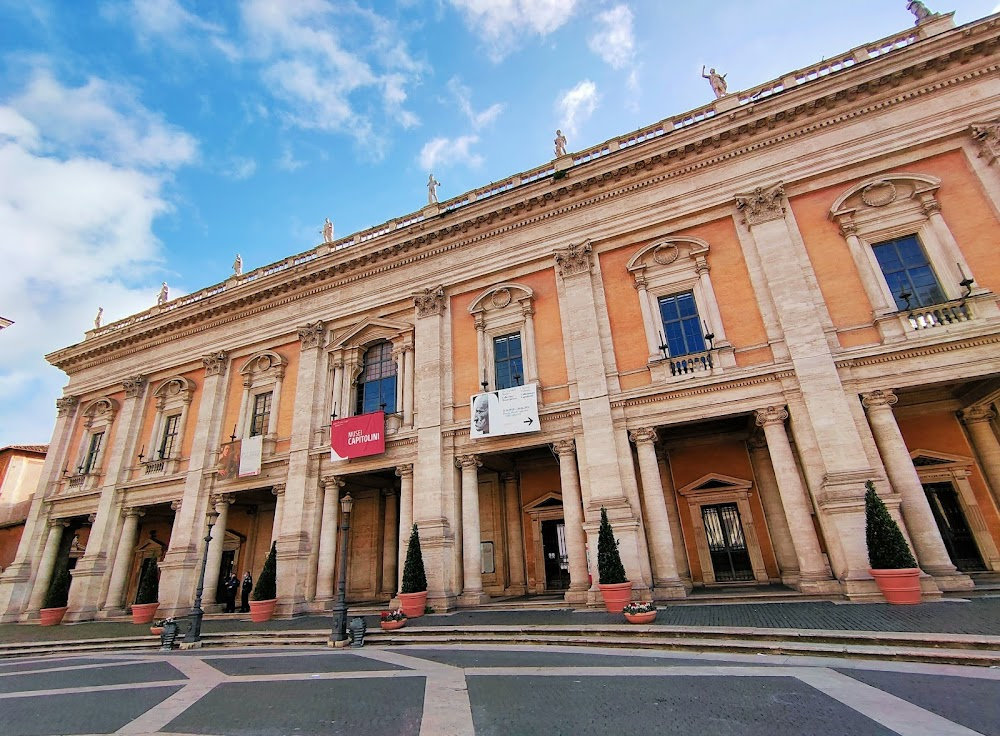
x: 893, y: 567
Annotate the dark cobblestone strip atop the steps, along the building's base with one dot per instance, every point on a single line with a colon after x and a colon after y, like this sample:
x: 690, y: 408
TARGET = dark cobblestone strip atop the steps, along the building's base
x: 979, y: 616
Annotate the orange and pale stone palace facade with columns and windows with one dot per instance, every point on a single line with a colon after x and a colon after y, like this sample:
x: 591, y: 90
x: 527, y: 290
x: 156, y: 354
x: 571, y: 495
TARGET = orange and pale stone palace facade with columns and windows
x: 732, y: 319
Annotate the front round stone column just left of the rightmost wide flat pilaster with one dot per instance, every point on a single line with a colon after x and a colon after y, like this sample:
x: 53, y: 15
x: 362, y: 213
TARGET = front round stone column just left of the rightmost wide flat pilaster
x: 814, y: 575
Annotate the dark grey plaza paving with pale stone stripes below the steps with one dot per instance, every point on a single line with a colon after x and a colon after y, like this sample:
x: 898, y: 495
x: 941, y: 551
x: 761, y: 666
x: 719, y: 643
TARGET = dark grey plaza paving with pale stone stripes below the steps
x: 489, y: 691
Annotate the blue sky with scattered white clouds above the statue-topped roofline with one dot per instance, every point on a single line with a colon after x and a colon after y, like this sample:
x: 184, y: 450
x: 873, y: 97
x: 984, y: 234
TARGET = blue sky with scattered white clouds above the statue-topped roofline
x: 151, y: 140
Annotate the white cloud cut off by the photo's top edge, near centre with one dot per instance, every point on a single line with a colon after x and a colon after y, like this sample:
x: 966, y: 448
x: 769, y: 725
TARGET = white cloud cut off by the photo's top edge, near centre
x: 503, y: 23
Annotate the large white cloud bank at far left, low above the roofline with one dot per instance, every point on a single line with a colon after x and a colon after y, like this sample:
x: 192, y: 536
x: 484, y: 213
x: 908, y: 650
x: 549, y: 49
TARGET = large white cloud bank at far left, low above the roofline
x: 84, y: 171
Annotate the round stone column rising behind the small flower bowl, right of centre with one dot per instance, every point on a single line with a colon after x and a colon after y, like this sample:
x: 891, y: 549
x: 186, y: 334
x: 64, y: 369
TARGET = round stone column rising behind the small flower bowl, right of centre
x: 666, y: 583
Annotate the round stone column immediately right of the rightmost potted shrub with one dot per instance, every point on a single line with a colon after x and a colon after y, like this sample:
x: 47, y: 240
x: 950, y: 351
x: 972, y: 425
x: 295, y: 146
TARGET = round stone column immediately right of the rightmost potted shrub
x: 932, y: 555
